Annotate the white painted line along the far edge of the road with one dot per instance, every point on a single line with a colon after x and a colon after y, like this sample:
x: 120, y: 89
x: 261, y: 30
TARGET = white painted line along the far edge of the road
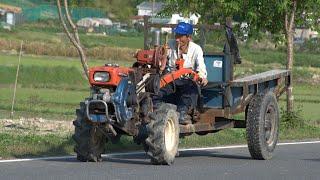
x: 135, y: 153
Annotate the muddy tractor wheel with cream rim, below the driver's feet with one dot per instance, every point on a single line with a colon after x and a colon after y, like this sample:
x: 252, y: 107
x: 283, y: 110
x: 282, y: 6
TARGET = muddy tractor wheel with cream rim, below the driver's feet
x: 163, y: 135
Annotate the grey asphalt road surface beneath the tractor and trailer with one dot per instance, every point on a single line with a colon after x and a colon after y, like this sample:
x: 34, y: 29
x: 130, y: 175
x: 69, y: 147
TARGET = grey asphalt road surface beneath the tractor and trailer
x: 294, y: 161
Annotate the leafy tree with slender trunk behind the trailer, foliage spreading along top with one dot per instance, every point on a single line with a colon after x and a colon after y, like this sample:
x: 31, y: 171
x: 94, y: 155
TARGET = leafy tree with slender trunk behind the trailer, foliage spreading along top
x: 277, y: 17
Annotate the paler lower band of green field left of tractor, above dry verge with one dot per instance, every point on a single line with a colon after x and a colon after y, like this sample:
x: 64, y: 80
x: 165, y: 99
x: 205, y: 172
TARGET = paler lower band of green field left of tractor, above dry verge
x: 47, y: 103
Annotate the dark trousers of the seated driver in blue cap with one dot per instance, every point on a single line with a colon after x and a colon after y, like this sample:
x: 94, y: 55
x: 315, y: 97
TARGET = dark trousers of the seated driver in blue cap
x: 181, y: 92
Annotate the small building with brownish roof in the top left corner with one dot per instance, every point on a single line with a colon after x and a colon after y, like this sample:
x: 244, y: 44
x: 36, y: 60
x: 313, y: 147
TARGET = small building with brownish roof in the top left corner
x: 8, y: 14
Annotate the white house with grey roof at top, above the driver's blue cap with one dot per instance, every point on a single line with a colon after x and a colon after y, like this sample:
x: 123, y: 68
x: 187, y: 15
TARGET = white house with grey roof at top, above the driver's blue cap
x: 149, y: 8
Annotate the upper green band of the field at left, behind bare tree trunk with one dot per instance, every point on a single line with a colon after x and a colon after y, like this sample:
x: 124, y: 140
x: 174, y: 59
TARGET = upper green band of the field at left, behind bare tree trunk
x: 47, y: 72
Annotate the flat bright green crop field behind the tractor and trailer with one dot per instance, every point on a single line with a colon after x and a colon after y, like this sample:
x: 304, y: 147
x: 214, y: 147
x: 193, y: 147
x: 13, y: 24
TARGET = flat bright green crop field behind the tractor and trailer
x: 54, y: 86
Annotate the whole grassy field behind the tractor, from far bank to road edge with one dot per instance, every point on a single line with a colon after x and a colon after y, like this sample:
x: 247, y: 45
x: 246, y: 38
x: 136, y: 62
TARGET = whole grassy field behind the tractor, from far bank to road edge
x: 51, y: 87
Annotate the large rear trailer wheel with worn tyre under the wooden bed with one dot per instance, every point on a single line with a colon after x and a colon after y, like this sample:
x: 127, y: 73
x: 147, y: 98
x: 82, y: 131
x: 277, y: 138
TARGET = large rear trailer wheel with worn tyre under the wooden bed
x: 262, y: 125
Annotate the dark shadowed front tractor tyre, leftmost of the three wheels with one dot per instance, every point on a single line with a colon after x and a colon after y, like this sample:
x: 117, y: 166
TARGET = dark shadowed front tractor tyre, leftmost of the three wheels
x: 90, y: 139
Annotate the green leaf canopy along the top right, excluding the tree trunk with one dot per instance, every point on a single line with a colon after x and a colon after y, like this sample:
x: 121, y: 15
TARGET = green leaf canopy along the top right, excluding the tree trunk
x: 260, y: 14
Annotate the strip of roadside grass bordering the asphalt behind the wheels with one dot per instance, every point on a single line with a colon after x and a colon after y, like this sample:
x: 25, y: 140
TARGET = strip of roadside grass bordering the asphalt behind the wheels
x: 15, y: 145
